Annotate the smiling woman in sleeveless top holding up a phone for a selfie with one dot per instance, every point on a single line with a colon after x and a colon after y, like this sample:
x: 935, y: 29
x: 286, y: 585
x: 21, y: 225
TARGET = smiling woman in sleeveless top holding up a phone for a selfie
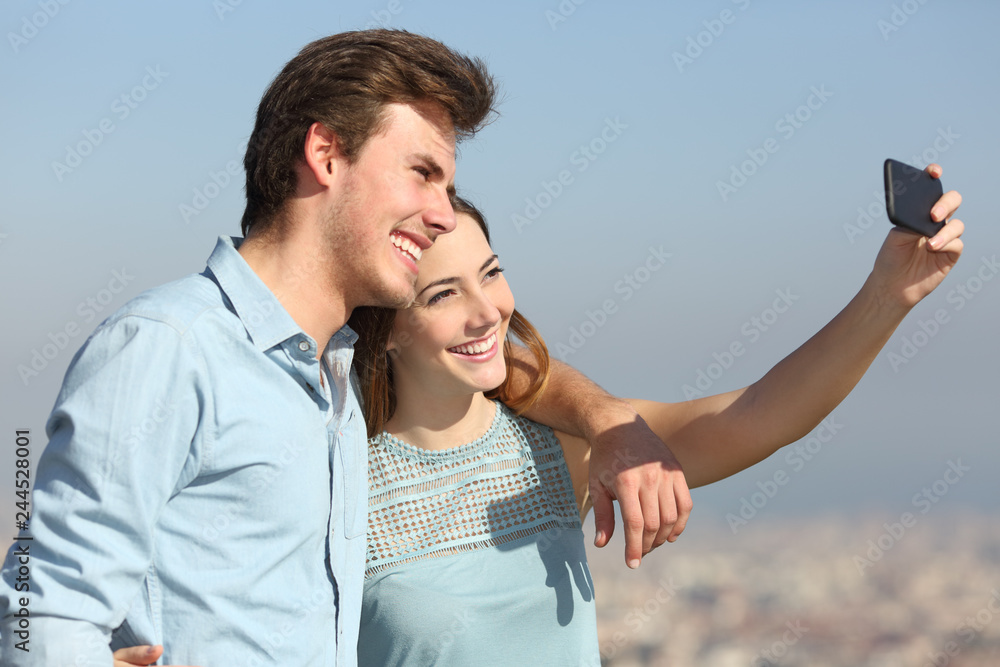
x: 475, y: 553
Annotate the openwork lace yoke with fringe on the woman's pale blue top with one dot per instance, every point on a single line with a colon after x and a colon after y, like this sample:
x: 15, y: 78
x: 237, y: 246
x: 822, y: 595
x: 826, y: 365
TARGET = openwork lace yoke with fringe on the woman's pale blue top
x: 510, y: 483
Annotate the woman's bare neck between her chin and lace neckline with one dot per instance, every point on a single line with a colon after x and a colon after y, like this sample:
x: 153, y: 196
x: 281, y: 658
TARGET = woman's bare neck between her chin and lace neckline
x: 433, y: 422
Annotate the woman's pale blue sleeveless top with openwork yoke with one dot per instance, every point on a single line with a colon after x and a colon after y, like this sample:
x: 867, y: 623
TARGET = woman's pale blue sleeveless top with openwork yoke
x: 475, y: 554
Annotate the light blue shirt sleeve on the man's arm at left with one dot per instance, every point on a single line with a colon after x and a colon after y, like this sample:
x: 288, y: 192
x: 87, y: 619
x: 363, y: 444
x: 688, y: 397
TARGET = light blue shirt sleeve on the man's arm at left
x: 123, y: 437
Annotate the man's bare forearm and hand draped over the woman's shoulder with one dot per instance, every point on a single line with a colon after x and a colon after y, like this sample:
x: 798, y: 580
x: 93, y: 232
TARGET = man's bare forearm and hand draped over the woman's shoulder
x: 628, y: 462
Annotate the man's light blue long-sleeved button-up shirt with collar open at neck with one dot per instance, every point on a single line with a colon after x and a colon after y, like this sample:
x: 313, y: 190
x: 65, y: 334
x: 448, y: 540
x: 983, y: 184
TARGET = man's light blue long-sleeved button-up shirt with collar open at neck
x: 201, y: 489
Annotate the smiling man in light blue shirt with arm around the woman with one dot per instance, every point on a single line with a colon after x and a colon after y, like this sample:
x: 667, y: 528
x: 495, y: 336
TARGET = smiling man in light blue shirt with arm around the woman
x: 233, y: 530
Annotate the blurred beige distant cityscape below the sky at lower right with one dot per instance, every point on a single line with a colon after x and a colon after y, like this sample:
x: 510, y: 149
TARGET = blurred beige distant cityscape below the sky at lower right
x: 821, y: 592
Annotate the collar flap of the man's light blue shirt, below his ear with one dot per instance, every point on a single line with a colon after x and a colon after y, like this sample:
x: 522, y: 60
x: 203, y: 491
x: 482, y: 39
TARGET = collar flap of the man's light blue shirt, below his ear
x: 263, y: 316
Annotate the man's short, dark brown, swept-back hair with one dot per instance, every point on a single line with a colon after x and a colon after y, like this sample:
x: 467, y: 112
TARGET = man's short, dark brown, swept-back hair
x: 344, y: 82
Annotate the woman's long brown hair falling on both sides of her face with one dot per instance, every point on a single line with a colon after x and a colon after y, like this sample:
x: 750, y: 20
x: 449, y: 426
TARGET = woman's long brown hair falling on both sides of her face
x: 371, y: 359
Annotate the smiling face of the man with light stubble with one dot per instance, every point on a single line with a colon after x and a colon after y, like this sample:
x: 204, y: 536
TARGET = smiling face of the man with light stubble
x: 395, y: 202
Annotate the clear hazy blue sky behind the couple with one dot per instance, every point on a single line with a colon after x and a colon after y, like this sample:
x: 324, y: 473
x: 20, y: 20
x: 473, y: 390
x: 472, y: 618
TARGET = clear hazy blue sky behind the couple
x: 667, y: 99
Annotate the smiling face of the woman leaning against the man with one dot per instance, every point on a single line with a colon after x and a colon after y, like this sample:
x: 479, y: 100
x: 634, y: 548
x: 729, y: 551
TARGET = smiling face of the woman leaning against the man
x: 450, y: 341
